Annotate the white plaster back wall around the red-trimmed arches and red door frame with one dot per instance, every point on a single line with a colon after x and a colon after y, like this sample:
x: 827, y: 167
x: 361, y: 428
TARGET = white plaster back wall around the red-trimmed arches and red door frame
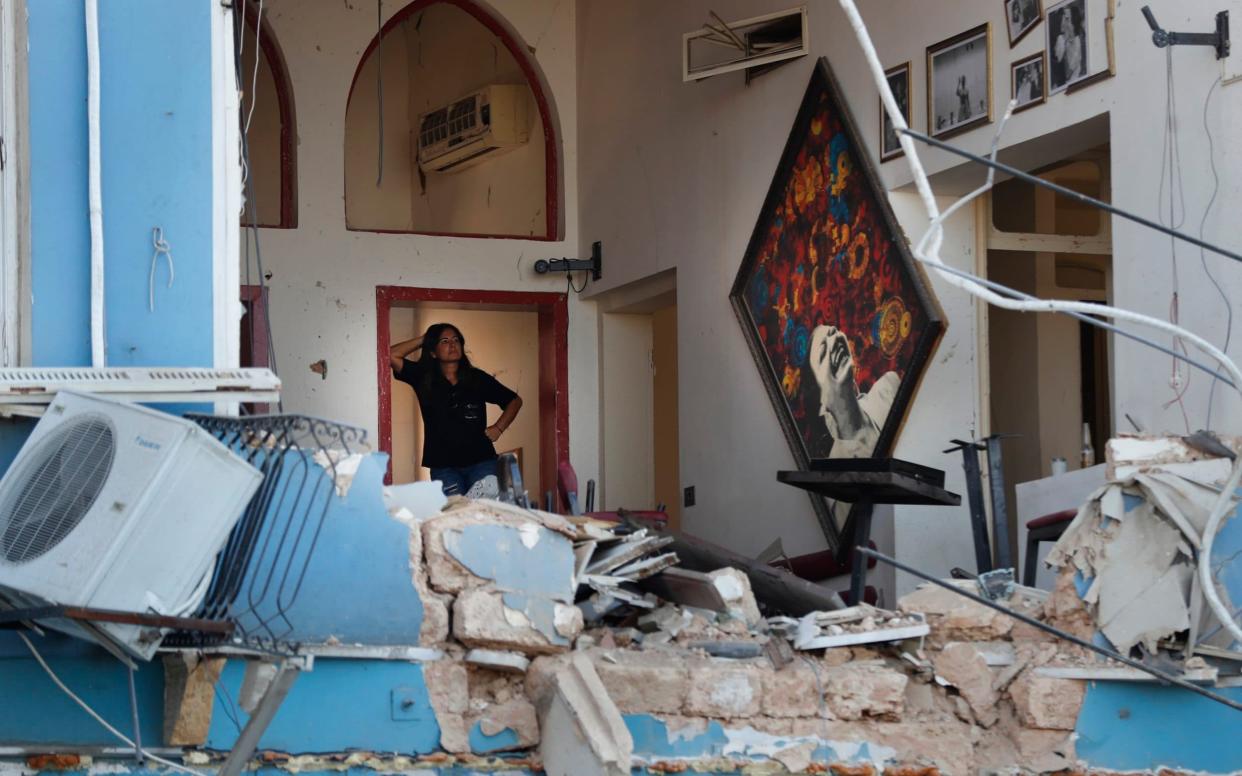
x: 324, y: 277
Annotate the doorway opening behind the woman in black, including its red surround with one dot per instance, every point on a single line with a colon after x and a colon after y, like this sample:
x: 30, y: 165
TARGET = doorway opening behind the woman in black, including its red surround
x: 520, y: 338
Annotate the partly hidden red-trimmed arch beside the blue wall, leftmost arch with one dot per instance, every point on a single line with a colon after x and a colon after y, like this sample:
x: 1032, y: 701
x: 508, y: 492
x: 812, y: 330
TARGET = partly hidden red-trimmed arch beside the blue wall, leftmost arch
x: 270, y: 126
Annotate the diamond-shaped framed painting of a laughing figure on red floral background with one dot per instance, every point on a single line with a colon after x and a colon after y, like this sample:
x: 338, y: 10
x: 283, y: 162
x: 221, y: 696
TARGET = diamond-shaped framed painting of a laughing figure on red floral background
x: 839, y: 316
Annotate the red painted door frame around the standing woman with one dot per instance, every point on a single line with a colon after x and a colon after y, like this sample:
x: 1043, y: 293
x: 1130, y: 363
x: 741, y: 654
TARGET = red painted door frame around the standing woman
x: 553, y: 321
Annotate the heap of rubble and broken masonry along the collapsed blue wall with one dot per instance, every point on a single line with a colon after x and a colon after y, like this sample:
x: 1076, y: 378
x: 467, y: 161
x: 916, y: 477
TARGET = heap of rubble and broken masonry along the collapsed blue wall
x: 557, y: 633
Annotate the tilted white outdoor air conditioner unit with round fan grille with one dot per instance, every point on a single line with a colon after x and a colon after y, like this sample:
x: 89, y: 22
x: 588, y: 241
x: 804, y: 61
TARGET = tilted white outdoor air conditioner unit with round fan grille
x: 117, y: 507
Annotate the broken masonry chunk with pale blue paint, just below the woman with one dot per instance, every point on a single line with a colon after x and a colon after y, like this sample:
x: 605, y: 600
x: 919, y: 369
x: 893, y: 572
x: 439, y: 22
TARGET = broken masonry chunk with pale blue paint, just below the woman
x: 481, y: 543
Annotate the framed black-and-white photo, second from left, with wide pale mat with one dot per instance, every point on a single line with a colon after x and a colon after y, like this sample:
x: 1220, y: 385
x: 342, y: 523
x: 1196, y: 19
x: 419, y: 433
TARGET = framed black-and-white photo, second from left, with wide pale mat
x: 959, y: 83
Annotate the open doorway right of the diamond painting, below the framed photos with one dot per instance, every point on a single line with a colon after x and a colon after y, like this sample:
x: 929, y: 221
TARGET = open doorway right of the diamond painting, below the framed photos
x: 1049, y: 376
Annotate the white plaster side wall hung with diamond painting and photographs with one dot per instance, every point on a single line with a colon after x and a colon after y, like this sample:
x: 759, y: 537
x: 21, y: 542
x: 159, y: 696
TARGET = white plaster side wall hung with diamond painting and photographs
x: 682, y: 188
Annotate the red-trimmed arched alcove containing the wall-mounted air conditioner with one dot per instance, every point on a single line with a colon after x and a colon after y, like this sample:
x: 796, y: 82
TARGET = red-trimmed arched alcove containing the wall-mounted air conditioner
x: 432, y: 55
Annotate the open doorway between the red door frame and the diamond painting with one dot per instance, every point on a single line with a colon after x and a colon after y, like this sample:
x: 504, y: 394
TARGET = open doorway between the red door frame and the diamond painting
x: 640, y: 456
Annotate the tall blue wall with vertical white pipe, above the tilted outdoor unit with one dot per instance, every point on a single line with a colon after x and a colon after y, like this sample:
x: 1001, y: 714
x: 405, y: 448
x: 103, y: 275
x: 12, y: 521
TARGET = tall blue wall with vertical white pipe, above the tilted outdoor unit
x: 156, y: 106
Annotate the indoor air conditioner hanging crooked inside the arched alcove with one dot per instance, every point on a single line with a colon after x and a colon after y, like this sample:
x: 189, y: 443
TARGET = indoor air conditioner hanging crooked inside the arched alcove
x: 475, y: 129
